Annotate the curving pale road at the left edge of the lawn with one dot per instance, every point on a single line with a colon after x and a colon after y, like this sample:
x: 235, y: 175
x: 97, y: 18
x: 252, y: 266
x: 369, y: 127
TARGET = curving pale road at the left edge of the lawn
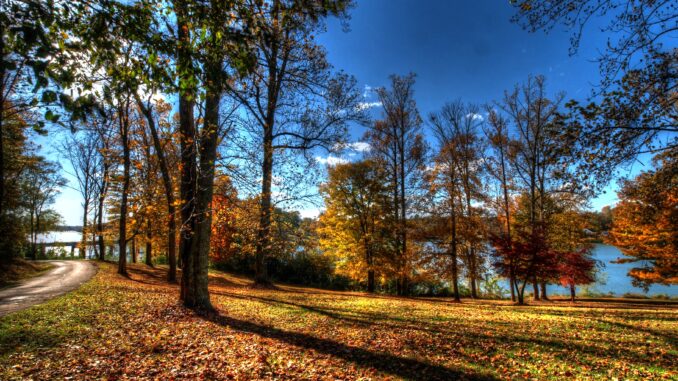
x: 64, y: 277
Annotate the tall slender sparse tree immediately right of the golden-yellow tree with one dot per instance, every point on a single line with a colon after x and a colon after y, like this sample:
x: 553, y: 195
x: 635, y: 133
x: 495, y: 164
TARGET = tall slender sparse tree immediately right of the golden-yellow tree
x: 398, y: 146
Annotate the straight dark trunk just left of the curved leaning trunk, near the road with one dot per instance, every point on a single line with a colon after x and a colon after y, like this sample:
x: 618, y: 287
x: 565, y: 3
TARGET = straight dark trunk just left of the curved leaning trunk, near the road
x: 122, y: 235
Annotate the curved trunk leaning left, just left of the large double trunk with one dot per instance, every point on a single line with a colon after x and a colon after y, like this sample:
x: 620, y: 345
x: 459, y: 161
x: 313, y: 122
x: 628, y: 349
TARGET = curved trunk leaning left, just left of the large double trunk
x: 169, y: 192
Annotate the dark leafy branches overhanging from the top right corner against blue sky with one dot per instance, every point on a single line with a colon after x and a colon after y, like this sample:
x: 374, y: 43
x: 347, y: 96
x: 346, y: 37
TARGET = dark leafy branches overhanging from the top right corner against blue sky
x: 635, y: 107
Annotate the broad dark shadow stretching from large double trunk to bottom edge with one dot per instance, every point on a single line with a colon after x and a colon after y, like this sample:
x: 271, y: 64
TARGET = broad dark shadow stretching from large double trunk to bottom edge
x: 402, y: 367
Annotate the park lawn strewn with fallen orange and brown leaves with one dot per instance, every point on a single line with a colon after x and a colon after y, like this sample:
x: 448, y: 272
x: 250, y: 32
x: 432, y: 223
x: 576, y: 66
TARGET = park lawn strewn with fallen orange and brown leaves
x: 118, y: 328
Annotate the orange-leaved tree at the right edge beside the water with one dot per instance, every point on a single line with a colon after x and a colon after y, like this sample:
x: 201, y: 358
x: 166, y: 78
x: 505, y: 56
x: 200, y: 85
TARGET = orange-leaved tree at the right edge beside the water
x: 644, y: 222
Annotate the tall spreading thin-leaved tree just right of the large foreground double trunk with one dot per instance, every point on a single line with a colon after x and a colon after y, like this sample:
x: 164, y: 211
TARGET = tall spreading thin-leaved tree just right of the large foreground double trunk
x: 293, y: 100
